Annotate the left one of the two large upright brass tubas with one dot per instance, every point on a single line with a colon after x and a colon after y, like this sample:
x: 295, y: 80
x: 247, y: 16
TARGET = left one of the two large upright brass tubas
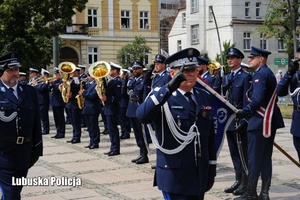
x: 66, y: 68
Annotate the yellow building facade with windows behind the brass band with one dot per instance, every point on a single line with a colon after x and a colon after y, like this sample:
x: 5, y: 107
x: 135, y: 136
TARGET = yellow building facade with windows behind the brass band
x: 105, y: 26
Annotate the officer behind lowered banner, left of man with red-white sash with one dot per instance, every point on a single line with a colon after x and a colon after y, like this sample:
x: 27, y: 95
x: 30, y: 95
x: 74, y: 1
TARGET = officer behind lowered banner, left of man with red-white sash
x: 235, y: 85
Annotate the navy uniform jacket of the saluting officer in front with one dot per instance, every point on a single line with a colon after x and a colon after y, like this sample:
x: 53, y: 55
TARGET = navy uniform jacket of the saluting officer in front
x: 178, y: 173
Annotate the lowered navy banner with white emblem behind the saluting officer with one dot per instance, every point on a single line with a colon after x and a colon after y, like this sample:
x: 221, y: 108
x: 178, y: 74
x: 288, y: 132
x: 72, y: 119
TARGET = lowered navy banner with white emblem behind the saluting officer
x: 224, y: 113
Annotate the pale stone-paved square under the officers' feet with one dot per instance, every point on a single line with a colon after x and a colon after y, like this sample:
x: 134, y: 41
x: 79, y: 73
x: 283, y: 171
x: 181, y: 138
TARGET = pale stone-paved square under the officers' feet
x: 104, y: 177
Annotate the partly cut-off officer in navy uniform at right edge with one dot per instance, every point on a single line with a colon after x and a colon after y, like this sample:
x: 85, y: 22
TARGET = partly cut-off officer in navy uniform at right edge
x: 290, y: 81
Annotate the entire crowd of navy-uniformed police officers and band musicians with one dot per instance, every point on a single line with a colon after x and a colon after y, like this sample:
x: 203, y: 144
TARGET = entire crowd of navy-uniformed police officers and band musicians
x: 162, y: 104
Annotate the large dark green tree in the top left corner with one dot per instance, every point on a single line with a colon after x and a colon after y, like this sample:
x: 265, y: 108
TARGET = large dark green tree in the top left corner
x: 28, y: 26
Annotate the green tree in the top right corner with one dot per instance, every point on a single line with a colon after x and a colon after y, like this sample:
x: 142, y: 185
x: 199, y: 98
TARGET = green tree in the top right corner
x: 278, y: 24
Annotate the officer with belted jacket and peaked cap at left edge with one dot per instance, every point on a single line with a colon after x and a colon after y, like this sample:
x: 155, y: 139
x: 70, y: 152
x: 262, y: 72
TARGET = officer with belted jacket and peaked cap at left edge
x: 20, y: 134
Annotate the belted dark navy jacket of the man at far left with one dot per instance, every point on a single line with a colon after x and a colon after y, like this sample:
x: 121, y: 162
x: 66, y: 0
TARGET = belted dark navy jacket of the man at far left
x: 12, y: 155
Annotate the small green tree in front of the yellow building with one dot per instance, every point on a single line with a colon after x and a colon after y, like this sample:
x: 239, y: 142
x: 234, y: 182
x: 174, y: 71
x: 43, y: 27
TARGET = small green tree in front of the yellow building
x: 133, y: 51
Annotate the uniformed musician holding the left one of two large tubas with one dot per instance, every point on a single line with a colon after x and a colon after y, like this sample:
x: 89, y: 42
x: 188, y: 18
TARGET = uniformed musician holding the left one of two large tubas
x: 72, y: 106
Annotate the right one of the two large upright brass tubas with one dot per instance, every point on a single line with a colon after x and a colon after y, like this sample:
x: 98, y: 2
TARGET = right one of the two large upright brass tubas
x: 99, y: 70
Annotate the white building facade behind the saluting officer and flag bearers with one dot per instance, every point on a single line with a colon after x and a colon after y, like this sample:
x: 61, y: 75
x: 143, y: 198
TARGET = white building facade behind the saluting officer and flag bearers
x: 236, y: 20
